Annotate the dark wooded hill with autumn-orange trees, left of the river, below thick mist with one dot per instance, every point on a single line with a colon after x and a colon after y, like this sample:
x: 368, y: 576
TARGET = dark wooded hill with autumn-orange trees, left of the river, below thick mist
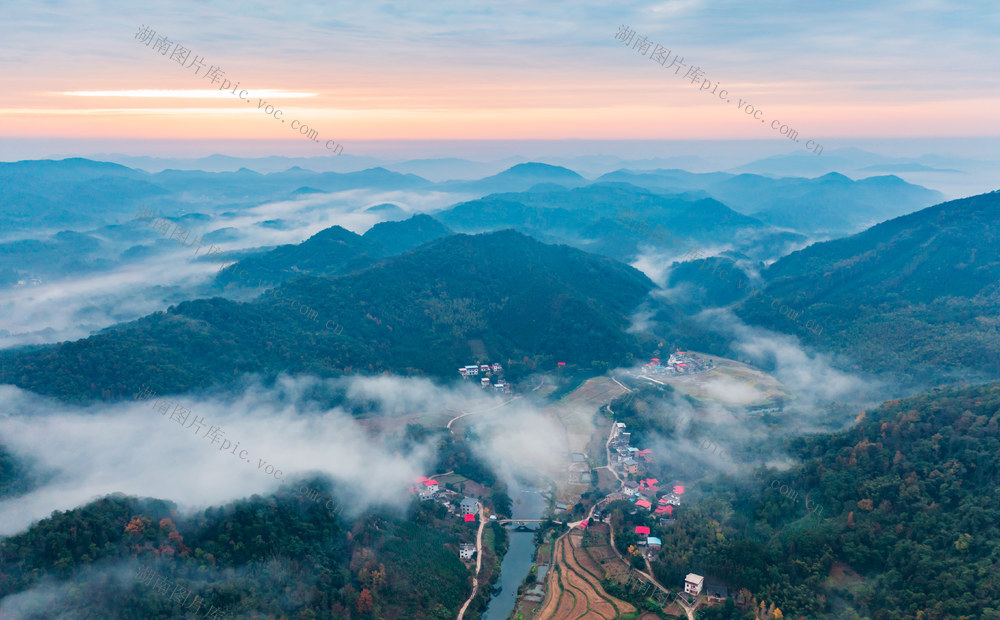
x: 273, y: 557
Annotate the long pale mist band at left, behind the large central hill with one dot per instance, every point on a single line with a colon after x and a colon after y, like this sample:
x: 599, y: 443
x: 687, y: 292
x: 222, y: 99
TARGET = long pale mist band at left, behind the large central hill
x: 78, y: 305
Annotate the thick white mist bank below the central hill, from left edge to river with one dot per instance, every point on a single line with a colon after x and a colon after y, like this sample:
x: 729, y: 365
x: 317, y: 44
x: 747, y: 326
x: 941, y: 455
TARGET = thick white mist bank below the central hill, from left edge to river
x: 266, y: 434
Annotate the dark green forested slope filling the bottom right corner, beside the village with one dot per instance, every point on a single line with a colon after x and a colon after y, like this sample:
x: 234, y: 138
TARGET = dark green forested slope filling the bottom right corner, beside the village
x: 909, y: 525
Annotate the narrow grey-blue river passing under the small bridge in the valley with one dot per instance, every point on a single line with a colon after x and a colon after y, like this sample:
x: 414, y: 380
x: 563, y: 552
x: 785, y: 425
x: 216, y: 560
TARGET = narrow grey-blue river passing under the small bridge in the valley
x: 528, y: 504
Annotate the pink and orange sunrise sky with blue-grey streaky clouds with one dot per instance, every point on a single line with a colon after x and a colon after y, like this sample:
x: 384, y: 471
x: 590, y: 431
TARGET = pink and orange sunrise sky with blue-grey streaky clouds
x: 76, y: 71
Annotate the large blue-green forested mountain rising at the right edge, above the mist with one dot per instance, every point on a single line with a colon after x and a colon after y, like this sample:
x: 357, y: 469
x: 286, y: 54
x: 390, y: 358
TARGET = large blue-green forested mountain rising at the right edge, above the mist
x: 917, y: 295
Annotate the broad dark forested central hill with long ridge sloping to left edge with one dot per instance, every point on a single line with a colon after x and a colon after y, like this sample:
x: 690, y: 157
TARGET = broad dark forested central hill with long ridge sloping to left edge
x: 420, y: 312
